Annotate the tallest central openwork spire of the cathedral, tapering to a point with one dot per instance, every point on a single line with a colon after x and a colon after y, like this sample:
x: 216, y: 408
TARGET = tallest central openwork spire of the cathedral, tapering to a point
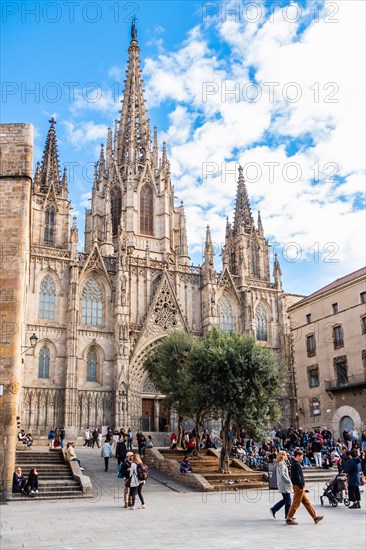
x: 134, y: 132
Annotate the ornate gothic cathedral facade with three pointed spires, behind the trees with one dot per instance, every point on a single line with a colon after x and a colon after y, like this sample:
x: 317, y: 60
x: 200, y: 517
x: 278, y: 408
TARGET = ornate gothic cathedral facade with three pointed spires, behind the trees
x: 98, y: 313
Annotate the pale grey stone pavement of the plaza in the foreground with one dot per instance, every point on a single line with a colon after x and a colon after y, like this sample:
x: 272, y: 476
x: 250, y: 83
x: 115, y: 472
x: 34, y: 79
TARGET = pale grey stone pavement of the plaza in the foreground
x: 175, y: 518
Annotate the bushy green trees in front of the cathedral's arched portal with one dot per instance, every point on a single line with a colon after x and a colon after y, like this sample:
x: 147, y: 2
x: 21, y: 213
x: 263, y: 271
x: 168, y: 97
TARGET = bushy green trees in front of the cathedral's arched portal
x: 226, y: 376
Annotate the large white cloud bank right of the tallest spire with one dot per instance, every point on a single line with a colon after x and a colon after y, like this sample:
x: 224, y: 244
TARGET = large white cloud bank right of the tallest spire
x: 327, y: 120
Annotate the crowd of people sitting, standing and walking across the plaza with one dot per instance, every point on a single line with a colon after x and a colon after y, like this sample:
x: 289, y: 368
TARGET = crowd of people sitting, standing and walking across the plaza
x: 290, y: 450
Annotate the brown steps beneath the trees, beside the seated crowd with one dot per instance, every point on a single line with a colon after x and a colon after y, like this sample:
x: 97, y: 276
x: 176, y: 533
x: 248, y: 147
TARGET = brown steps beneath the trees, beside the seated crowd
x: 207, y: 464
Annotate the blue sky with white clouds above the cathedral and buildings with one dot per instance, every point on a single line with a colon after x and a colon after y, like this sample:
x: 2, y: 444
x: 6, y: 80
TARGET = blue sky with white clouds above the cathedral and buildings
x: 270, y: 85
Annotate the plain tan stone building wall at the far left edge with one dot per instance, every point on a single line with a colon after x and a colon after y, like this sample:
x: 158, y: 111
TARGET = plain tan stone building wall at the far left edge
x: 16, y: 150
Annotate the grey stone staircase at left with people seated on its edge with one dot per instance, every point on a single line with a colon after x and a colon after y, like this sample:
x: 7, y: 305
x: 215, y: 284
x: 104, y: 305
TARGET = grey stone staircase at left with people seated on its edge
x: 55, y: 476
